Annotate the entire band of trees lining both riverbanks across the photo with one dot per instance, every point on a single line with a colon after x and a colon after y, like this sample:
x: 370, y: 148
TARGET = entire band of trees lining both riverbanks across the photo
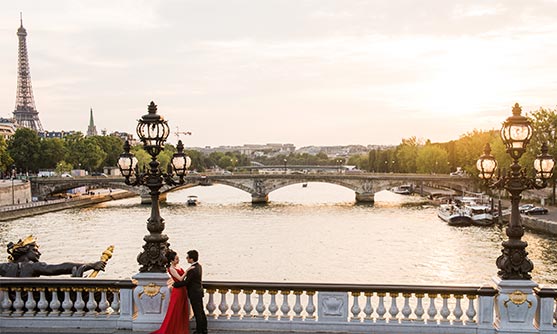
x: 29, y: 153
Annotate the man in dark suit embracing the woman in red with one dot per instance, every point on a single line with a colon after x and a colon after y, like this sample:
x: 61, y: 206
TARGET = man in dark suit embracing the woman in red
x: 195, y: 291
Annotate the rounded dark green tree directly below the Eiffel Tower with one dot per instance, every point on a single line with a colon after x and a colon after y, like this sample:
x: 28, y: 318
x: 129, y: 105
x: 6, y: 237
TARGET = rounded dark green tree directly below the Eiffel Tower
x: 25, y: 149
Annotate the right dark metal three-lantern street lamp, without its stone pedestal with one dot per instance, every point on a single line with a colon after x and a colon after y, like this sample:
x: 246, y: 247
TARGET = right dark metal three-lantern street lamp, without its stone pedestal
x: 516, y: 132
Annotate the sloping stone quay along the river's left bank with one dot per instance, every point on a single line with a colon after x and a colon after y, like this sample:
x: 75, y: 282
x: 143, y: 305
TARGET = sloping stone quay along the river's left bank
x: 38, y: 208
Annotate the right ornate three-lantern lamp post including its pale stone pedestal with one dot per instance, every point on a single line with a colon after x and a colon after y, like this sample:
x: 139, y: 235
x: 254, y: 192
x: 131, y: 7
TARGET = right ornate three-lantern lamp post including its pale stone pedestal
x: 513, y: 281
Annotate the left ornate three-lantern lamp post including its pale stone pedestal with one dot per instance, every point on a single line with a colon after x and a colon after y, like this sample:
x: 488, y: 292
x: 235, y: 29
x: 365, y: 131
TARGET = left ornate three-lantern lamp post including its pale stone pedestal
x: 149, y: 295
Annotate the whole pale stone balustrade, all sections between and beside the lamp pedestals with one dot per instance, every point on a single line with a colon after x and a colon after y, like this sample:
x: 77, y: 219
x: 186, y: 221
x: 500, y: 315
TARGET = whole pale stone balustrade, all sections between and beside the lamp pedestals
x: 101, y: 304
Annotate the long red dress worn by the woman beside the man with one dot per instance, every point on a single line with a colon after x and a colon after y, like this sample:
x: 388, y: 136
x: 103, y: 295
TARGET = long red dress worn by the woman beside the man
x: 176, y: 320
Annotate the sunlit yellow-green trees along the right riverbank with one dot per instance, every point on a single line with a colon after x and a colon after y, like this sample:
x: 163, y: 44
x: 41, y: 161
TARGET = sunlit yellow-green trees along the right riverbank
x: 415, y: 156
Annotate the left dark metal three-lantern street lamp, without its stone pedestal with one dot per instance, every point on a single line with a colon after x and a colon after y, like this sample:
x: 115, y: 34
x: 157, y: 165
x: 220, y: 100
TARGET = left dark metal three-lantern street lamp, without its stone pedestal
x: 153, y: 130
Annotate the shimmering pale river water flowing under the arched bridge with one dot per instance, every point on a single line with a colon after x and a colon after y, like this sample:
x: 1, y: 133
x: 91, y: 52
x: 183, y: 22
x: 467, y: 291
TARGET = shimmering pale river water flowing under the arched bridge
x: 312, y: 234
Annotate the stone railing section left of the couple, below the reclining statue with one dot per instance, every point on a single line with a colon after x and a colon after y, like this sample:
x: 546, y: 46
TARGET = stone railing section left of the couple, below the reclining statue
x: 66, y: 303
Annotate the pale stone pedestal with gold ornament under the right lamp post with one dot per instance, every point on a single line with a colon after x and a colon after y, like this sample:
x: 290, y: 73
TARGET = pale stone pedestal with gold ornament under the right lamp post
x: 515, y: 306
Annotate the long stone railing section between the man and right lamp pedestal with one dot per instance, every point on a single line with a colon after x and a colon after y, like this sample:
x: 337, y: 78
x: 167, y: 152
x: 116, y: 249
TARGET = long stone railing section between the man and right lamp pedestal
x: 350, y: 308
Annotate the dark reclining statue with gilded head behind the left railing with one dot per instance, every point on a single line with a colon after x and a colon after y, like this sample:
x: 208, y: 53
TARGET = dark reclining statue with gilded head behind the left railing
x: 24, y: 262
